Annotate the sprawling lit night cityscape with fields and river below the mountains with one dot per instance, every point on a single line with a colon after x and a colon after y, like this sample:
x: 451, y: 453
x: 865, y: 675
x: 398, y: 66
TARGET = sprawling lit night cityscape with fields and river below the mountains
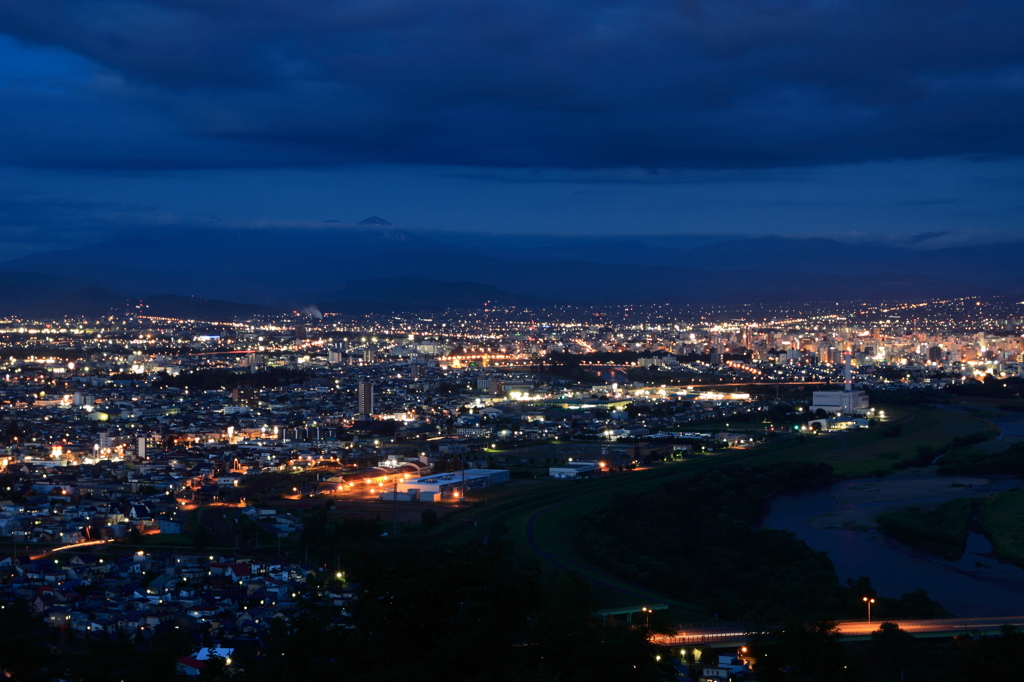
x: 207, y: 482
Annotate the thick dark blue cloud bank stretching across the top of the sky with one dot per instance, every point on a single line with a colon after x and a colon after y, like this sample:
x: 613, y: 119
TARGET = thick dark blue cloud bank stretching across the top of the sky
x: 506, y: 83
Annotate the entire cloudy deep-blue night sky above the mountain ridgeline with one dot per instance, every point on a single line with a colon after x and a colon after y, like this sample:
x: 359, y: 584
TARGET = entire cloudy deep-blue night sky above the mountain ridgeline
x: 874, y: 119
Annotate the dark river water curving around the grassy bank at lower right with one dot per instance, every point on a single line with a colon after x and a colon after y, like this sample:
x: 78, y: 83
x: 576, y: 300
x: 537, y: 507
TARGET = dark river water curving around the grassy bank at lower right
x: 976, y: 585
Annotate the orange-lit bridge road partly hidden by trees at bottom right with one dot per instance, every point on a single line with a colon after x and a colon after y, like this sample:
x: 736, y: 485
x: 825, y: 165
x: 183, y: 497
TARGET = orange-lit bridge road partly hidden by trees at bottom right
x: 739, y: 634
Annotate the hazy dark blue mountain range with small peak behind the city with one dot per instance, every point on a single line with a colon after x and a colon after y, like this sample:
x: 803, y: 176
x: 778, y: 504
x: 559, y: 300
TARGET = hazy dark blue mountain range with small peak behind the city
x: 376, y: 268
